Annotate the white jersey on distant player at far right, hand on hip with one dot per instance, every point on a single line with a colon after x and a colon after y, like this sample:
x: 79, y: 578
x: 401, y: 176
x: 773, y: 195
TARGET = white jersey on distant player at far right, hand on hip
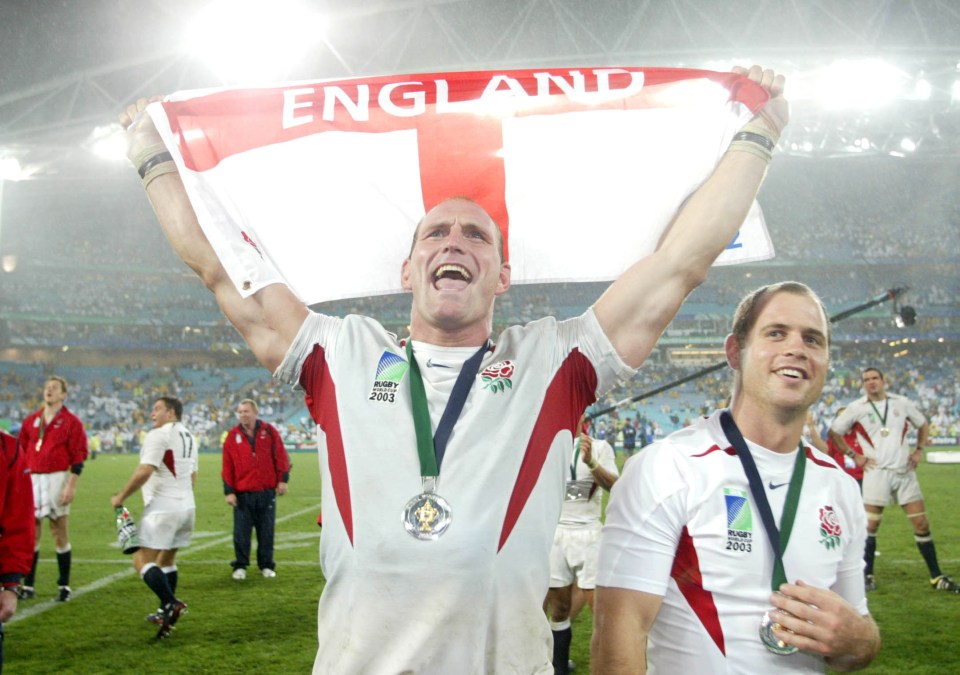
x: 890, y: 451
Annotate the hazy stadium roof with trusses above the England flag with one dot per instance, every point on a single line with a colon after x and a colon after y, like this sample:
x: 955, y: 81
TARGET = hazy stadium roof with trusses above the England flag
x: 69, y: 67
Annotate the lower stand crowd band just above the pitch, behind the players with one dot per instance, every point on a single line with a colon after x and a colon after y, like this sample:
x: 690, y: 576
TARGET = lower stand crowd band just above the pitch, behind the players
x: 114, y: 403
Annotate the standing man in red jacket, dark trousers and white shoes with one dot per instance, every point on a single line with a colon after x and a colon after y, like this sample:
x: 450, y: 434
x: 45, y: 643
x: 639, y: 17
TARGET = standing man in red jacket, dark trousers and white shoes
x: 256, y: 469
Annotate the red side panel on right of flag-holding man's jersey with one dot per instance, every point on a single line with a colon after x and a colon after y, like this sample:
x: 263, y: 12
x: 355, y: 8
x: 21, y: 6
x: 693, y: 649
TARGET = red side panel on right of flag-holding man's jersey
x: 572, y: 389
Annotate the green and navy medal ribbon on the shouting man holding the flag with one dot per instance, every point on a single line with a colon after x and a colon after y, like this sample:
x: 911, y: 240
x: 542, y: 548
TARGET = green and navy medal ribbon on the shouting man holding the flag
x: 431, y: 450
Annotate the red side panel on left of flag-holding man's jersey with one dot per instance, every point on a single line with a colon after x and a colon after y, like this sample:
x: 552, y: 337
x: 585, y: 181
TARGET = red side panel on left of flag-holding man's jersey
x: 316, y: 377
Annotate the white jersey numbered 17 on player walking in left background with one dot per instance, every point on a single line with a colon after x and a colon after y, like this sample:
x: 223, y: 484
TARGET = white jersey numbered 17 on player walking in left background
x: 174, y: 452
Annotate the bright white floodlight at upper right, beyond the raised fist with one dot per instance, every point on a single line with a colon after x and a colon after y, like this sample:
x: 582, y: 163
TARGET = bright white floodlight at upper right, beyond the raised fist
x: 861, y: 84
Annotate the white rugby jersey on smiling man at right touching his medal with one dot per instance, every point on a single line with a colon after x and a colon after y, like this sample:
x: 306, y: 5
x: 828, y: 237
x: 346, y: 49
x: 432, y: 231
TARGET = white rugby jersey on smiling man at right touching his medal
x: 681, y: 523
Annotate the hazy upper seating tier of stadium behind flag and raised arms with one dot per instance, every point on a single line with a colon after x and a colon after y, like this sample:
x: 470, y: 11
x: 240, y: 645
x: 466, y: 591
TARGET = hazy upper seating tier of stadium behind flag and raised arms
x: 90, y: 268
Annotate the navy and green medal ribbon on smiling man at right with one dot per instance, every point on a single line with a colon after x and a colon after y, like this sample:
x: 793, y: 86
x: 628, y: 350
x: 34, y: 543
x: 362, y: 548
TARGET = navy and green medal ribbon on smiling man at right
x: 778, y: 539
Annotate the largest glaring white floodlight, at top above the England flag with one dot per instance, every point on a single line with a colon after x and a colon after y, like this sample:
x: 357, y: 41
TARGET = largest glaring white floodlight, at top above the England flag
x: 253, y: 42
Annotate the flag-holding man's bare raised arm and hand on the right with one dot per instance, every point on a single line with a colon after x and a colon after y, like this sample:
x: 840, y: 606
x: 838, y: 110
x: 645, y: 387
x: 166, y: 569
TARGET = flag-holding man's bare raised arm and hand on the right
x: 636, y: 308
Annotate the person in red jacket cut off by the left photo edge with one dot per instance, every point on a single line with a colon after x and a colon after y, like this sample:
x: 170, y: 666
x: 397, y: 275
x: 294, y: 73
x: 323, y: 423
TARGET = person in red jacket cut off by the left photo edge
x: 17, y: 529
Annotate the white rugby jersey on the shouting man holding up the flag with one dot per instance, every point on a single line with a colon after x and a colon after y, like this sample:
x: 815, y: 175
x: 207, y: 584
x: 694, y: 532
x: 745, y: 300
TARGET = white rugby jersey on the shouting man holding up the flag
x: 472, y: 601
